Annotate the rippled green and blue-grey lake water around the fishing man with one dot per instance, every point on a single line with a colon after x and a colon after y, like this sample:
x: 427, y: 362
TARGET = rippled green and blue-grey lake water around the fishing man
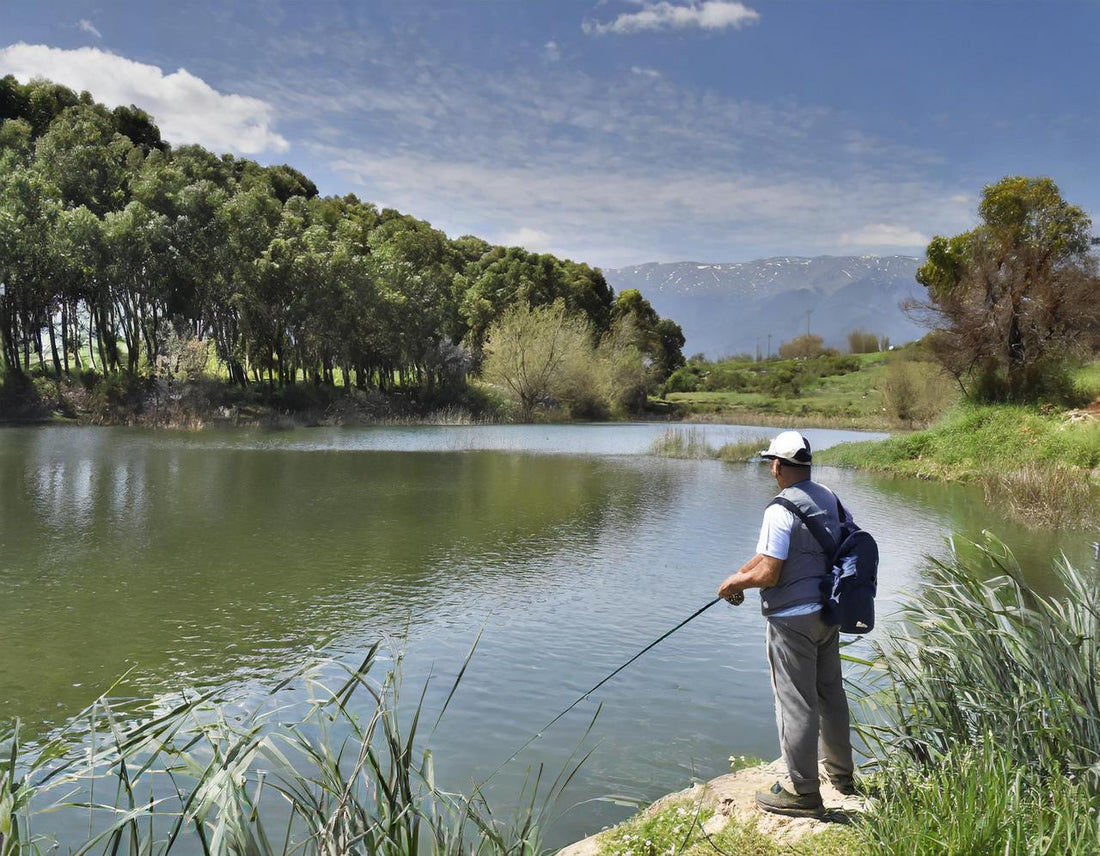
x: 226, y: 559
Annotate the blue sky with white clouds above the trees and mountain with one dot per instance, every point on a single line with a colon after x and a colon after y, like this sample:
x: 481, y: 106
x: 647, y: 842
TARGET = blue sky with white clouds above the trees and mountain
x: 614, y: 133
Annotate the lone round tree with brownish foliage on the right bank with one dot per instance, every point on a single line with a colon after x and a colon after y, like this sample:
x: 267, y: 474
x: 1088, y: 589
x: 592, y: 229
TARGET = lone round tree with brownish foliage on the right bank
x: 1013, y: 299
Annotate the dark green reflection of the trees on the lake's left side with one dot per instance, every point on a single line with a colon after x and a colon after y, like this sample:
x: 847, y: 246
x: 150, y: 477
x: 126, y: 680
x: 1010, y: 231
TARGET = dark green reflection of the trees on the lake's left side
x: 195, y: 565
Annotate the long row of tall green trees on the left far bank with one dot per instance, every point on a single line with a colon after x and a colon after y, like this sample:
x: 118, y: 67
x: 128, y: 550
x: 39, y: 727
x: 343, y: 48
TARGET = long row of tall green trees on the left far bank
x: 119, y: 253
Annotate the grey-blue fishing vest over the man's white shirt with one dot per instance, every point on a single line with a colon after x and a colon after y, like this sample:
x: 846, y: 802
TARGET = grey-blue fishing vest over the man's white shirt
x: 806, y: 566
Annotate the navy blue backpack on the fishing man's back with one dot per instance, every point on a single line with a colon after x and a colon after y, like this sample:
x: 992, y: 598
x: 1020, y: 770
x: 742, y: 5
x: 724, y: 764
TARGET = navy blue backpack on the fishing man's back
x: 853, y: 578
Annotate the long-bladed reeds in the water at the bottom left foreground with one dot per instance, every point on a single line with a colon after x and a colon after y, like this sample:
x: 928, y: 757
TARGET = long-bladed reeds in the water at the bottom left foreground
x: 354, y: 775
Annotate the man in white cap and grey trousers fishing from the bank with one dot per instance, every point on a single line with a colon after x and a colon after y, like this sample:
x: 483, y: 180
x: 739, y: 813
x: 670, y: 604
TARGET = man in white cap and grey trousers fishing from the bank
x: 804, y: 651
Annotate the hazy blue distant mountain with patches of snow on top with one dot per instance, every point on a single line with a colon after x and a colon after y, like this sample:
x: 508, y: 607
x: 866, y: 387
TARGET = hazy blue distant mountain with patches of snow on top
x: 728, y: 309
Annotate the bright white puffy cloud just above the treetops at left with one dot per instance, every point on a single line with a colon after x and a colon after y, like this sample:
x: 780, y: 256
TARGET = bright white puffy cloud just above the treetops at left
x: 185, y: 107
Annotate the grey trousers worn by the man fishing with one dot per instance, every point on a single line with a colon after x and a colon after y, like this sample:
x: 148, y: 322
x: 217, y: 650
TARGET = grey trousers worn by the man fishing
x: 805, y: 656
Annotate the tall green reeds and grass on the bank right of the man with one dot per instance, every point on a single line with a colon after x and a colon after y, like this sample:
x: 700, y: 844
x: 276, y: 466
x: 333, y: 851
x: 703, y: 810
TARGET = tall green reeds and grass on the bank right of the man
x: 986, y: 720
